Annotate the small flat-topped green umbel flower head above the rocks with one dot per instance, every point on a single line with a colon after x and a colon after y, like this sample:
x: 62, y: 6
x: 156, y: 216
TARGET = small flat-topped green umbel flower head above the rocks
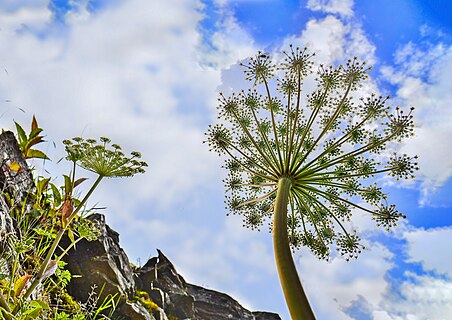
x: 102, y: 158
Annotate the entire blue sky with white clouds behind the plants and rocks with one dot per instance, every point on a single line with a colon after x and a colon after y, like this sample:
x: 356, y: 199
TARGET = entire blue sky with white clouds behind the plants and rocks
x: 146, y: 73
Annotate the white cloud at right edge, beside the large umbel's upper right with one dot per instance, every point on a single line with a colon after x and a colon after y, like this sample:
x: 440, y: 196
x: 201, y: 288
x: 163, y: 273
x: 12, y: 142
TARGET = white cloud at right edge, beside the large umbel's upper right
x: 423, y: 81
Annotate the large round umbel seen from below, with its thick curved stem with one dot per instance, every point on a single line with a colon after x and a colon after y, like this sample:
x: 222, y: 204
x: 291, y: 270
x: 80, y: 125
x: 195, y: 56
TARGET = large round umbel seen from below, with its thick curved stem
x: 305, y: 164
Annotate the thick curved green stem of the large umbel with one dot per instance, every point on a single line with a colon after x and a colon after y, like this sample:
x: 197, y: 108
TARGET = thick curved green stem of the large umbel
x: 296, y: 299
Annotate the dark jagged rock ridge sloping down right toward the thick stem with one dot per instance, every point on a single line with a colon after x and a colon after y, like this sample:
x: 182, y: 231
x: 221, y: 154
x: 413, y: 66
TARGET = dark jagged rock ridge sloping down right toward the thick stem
x: 103, y: 262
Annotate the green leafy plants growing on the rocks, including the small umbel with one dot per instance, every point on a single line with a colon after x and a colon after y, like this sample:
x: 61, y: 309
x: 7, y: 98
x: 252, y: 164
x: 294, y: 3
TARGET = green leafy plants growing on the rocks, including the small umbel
x: 32, y: 275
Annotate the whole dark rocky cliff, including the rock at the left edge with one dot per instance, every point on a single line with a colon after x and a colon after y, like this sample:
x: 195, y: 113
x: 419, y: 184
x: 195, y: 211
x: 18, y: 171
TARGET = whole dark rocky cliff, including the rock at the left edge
x: 153, y: 291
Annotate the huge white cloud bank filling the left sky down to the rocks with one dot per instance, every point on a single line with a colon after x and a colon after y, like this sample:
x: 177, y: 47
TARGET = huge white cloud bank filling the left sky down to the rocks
x: 141, y: 74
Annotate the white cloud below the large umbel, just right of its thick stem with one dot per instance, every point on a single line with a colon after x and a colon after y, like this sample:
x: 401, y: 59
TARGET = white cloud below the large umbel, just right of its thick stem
x: 332, y: 286
